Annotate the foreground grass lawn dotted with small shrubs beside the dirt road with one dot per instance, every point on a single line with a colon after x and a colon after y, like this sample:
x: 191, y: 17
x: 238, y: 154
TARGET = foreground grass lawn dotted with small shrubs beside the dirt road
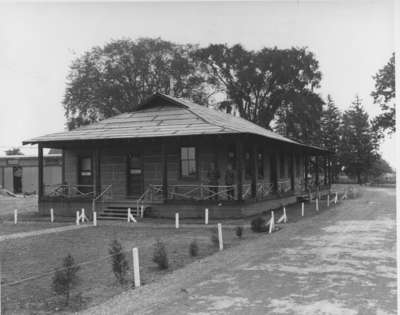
x: 27, y: 257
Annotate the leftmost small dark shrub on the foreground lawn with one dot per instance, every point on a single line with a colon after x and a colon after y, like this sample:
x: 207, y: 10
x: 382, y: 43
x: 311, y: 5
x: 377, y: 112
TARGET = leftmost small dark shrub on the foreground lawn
x: 66, y: 278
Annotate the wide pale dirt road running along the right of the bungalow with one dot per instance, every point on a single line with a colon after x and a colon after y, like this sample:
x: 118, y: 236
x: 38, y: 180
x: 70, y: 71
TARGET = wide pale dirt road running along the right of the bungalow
x: 342, y: 261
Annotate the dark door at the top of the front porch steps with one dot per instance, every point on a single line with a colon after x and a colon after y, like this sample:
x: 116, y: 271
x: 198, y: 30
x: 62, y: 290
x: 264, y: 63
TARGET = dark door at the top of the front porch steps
x: 135, y: 175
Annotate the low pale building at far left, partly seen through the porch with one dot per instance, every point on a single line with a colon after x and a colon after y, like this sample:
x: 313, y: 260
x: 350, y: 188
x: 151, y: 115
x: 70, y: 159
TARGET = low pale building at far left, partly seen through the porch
x: 19, y: 173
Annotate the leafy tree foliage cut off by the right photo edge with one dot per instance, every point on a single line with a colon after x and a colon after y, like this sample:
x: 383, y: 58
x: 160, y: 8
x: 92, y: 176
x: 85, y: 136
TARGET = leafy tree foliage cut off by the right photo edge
x: 384, y: 95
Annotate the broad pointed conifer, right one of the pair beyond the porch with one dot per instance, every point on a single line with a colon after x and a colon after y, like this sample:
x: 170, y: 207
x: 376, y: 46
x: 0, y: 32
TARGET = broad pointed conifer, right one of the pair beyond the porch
x: 359, y: 144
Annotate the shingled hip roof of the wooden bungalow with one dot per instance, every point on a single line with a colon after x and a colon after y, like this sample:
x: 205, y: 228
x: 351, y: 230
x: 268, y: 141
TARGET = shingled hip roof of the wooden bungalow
x: 163, y: 116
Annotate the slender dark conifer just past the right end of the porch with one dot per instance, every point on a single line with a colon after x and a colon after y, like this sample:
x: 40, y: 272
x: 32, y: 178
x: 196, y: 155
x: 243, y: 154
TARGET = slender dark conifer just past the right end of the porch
x: 331, y: 121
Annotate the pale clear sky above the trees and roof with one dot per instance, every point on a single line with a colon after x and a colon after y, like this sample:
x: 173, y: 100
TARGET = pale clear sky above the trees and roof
x: 351, y: 40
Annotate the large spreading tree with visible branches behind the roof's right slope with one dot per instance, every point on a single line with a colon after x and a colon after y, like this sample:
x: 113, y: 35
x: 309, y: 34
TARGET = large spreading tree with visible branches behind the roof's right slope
x: 260, y: 82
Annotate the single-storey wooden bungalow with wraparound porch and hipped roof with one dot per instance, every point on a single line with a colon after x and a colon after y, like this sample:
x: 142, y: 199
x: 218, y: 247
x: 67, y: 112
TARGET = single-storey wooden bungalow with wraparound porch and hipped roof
x: 173, y: 155
